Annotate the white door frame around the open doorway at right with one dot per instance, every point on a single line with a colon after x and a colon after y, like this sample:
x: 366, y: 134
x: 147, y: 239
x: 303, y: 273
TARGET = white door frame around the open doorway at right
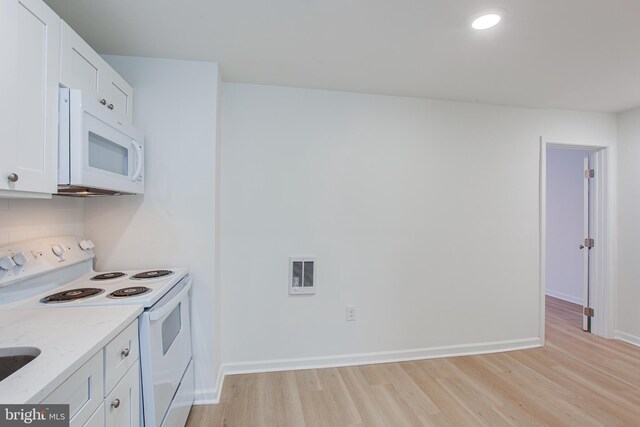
x: 603, y: 285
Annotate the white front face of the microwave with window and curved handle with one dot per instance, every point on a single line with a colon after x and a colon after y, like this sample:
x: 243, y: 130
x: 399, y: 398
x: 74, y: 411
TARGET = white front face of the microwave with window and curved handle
x: 104, y: 153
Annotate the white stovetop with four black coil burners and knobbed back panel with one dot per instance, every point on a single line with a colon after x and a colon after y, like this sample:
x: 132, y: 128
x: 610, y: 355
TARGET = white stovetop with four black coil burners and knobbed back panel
x: 58, y: 272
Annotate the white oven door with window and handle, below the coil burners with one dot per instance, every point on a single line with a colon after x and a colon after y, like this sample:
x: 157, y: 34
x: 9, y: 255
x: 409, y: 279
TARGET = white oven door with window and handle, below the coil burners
x: 165, y: 350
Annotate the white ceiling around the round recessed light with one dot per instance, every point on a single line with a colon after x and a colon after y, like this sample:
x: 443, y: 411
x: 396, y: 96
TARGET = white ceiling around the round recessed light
x: 577, y: 54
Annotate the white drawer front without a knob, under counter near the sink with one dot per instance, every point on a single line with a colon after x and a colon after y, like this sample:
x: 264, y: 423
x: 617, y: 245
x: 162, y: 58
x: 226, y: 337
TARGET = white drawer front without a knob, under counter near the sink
x: 82, y: 391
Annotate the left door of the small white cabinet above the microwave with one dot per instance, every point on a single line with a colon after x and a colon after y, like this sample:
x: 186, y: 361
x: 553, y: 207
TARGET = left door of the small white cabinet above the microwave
x: 80, y: 66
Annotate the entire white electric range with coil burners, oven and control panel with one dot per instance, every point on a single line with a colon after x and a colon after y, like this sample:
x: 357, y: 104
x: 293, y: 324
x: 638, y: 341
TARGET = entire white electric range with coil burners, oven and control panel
x: 58, y: 272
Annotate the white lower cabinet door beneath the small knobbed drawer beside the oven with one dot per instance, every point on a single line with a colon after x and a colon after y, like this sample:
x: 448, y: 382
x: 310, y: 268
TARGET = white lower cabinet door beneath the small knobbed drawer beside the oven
x: 123, y: 403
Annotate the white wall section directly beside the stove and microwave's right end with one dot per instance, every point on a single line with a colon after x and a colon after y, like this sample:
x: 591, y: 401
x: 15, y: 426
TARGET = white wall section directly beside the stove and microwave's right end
x: 173, y: 224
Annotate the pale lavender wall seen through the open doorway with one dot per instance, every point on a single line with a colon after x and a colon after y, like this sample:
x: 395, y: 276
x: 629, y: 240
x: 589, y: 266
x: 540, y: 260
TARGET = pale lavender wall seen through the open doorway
x: 565, y: 194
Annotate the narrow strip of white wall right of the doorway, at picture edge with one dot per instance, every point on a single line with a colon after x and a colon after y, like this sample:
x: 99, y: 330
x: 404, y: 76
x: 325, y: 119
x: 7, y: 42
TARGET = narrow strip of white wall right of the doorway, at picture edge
x: 628, y: 301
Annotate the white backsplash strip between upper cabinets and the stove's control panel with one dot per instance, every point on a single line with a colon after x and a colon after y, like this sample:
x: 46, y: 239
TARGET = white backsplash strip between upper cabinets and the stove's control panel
x: 24, y: 219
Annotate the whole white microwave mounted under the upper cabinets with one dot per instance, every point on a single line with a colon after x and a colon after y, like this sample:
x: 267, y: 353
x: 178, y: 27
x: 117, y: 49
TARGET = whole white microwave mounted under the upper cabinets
x: 97, y: 153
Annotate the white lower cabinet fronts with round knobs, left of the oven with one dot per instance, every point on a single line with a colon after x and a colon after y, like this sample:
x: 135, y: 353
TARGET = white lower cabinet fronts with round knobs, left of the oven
x: 101, y: 393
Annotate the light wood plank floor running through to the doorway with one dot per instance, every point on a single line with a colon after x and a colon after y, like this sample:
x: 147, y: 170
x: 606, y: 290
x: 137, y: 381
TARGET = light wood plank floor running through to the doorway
x: 577, y: 379
